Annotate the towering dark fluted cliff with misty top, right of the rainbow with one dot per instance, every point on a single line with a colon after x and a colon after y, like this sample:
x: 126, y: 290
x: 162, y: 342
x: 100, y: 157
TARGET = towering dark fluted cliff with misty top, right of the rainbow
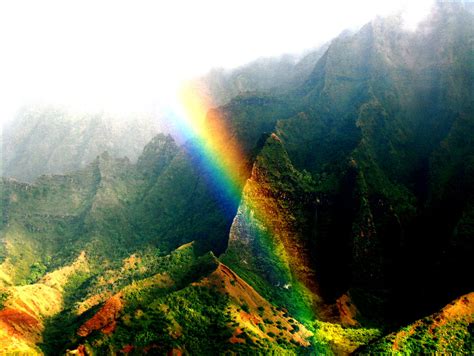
x: 369, y: 126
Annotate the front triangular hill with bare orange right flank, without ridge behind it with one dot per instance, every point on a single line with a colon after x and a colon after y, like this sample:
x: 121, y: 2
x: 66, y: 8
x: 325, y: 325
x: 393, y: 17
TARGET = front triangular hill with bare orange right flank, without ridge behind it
x: 227, y: 314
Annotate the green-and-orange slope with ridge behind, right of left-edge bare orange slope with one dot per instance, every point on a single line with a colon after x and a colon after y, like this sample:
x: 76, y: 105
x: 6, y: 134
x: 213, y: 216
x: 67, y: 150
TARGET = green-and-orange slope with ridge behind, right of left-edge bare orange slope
x: 173, y: 302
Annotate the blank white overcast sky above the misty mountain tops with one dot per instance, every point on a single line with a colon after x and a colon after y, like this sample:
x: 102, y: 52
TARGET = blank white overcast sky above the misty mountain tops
x: 130, y: 55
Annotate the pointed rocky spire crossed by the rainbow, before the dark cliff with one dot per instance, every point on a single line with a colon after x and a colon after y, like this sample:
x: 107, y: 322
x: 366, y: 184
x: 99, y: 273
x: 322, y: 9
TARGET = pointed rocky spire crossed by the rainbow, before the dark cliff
x: 269, y: 237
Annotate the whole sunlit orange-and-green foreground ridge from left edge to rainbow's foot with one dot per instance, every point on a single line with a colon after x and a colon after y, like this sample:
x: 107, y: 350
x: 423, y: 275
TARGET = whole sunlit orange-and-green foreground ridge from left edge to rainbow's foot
x: 141, y: 306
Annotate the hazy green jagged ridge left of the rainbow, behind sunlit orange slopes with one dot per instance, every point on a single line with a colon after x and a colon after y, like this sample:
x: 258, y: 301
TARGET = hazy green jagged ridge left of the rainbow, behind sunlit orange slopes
x: 108, y: 209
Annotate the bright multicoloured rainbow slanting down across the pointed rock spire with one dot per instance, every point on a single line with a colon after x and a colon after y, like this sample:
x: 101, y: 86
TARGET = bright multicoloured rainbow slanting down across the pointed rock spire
x: 224, y: 159
